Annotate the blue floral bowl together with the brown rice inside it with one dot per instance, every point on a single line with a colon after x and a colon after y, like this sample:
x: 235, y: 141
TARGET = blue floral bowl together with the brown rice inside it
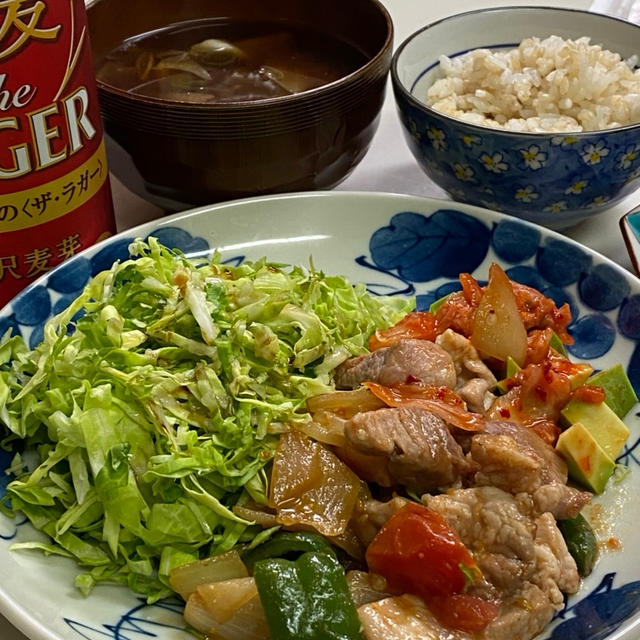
x: 553, y: 164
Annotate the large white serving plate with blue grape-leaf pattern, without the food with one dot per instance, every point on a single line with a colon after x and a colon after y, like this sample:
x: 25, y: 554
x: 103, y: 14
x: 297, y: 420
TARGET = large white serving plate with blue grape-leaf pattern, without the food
x: 397, y: 245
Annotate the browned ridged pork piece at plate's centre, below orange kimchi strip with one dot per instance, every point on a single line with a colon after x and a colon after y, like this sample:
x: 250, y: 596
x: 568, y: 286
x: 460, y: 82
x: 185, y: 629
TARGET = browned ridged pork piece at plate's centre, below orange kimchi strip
x: 414, y: 445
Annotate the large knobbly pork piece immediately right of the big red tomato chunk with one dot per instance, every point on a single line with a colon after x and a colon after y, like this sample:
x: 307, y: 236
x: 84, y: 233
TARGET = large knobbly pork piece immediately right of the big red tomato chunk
x: 514, y: 548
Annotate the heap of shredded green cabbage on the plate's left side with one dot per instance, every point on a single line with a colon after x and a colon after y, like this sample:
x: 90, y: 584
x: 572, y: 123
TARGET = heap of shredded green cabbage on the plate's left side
x: 155, y: 401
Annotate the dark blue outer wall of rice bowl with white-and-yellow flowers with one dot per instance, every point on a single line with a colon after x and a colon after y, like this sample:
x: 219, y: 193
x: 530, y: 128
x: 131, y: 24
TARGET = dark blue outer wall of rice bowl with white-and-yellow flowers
x: 510, y: 173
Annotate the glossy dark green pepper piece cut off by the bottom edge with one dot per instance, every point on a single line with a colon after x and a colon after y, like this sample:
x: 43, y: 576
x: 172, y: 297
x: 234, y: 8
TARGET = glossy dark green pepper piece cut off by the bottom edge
x: 307, y: 598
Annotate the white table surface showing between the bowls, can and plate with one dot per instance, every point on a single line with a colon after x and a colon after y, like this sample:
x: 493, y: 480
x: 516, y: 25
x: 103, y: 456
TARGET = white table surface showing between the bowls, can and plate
x: 389, y: 166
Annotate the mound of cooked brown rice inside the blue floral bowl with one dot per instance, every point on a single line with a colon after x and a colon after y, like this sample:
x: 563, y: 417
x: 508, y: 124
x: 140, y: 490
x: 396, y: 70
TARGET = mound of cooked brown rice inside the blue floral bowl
x: 548, y: 85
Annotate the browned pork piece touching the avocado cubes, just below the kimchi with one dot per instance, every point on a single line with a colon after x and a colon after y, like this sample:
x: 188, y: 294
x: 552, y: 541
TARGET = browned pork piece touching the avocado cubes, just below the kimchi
x: 515, y: 459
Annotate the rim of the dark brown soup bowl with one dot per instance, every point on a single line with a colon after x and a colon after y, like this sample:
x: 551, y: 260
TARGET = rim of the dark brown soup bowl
x: 280, y: 101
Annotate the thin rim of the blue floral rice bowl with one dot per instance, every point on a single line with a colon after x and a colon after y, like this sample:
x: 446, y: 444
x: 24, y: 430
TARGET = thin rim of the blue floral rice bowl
x: 407, y: 95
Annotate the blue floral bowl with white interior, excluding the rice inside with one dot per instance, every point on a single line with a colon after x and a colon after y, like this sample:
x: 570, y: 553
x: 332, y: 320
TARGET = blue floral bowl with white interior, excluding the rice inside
x: 552, y: 177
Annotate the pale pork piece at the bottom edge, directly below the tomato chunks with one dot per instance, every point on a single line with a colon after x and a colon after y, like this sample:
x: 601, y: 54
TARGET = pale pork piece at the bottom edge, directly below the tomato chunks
x: 403, y: 618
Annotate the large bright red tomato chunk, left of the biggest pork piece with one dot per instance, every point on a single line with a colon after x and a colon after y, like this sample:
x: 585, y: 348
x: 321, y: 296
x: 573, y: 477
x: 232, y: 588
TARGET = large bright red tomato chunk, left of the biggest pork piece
x: 418, y: 552
